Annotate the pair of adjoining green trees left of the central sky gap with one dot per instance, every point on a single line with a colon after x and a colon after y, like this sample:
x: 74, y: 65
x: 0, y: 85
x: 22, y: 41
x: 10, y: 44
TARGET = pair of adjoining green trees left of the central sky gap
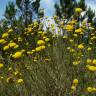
x: 23, y: 11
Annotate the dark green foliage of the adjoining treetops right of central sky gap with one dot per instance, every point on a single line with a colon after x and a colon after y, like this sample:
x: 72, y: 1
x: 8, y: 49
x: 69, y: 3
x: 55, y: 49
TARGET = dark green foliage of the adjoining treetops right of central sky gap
x: 66, y: 7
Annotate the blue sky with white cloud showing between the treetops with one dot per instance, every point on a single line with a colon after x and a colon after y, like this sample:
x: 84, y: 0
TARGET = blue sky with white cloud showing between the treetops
x: 48, y: 5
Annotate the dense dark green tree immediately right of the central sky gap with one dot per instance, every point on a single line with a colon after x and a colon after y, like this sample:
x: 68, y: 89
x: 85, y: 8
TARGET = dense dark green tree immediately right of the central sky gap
x: 65, y: 8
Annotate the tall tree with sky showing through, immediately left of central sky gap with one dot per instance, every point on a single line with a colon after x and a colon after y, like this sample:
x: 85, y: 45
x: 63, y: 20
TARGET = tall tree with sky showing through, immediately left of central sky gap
x: 28, y: 9
